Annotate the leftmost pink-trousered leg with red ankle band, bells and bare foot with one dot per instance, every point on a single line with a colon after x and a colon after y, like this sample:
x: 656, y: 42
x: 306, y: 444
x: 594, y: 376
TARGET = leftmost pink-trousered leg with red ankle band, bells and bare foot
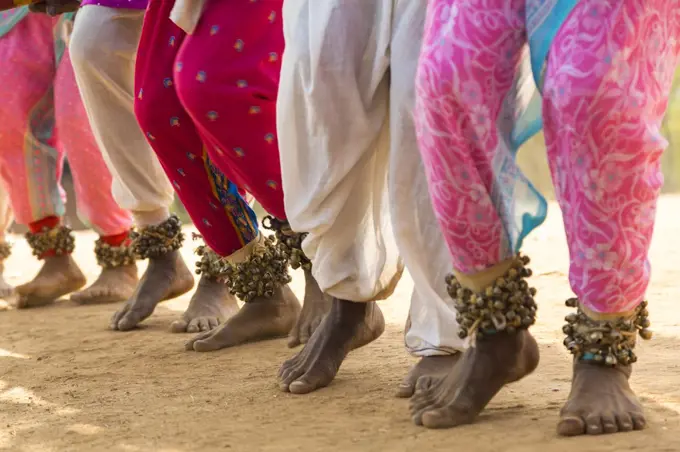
x: 29, y: 163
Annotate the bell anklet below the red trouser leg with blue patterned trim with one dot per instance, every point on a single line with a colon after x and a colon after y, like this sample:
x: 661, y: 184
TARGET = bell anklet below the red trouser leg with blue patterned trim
x: 264, y: 270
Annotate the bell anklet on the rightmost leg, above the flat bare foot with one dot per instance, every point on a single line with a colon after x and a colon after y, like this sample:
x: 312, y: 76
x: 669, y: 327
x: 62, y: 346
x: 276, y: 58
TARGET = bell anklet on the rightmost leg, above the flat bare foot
x: 608, y: 342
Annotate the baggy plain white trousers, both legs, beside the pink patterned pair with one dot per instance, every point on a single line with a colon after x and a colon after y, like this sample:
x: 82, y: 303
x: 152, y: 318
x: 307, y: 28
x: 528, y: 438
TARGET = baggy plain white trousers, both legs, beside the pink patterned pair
x: 352, y: 175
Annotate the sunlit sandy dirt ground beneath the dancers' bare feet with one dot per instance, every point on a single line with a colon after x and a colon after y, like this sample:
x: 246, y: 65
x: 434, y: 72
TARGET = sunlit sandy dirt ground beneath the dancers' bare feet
x: 67, y: 383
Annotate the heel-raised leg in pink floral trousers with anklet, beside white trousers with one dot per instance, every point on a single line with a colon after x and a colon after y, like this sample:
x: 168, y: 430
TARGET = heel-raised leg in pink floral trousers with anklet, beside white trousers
x: 464, y: 87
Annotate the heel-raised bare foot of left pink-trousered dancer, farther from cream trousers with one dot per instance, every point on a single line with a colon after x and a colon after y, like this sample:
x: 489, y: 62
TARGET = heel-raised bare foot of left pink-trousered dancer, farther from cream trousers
x: 59, y: 276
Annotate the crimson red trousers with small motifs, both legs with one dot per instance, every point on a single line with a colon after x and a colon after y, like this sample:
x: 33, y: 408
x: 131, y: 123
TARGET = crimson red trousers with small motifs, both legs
x: 207, y: 104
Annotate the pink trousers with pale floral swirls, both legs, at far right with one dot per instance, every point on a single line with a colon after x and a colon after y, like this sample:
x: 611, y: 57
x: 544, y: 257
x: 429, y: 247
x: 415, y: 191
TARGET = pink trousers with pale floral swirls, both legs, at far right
x: 607, y: 82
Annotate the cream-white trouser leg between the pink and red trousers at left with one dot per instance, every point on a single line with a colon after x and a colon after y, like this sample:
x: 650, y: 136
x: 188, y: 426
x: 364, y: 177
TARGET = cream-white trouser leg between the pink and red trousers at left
x: 103, y: 50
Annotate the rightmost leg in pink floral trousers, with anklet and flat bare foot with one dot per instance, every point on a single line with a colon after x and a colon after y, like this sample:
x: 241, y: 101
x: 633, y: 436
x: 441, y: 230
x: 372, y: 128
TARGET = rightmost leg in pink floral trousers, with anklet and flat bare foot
x: 602, y: 129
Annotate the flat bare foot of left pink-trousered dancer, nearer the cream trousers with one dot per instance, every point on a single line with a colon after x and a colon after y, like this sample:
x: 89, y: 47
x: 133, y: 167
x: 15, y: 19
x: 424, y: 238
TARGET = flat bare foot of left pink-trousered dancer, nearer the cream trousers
x: 113, y: 285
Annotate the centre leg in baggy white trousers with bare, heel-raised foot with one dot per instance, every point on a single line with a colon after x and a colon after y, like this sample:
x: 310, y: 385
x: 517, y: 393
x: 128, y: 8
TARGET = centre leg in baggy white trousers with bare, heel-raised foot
x: 333, y: 133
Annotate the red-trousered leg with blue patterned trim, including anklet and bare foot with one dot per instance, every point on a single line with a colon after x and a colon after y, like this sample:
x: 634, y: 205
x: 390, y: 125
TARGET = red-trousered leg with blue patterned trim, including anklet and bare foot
x: 227, y: 223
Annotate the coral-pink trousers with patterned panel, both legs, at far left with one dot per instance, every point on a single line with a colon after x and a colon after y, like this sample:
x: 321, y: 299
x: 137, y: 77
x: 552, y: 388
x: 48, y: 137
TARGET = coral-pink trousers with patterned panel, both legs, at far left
x: 42, y: 120
